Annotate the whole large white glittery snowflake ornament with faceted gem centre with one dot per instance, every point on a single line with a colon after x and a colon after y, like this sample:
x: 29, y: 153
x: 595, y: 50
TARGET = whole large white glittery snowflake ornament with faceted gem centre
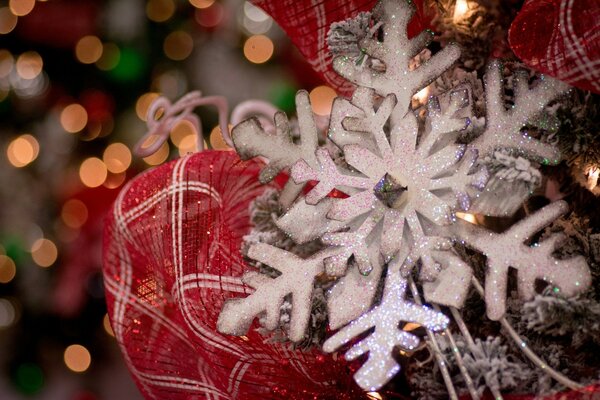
x: 404, y: 181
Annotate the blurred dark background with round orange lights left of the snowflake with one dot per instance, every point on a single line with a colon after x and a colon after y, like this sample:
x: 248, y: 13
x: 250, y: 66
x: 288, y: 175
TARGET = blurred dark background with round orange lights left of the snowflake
x: 76, y: 79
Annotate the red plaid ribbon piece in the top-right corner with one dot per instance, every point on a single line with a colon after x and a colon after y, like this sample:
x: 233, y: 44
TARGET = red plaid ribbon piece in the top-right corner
x: 560, y: 38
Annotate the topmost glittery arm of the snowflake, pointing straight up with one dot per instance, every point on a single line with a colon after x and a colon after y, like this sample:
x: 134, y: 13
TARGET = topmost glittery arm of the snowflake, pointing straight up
x: 396, y: 51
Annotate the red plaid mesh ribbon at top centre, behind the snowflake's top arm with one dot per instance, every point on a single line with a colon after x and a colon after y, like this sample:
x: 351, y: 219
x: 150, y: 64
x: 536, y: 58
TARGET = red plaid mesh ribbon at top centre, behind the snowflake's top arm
x: 307, y: 22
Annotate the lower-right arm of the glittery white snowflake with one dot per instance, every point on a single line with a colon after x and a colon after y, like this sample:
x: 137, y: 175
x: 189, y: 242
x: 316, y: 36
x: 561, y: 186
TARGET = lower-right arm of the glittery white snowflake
x: 503, y: 250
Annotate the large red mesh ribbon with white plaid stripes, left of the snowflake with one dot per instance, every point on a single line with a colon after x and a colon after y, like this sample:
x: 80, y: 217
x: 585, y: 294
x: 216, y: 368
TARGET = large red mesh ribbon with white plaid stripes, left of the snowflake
x: 171, y: 258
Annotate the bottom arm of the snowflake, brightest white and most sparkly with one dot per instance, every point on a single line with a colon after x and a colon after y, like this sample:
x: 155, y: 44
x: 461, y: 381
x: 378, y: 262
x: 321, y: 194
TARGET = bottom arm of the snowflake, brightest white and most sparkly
x: 381, y: 366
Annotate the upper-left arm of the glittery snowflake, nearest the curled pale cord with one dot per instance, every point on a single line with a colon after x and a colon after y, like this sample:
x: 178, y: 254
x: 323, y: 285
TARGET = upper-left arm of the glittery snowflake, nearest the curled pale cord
x: 251, y: 140
